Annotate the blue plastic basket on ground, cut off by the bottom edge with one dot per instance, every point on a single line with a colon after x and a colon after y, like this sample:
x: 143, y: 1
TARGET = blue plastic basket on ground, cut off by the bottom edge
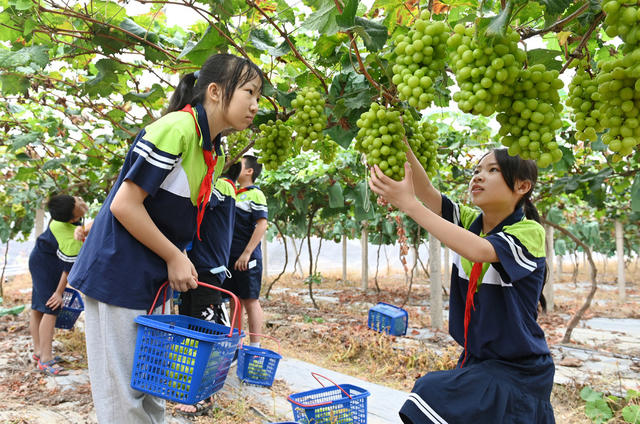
x: 334, y: 404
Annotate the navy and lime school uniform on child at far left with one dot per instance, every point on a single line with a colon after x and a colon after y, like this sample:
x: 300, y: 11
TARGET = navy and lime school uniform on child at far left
x: 54, y: 252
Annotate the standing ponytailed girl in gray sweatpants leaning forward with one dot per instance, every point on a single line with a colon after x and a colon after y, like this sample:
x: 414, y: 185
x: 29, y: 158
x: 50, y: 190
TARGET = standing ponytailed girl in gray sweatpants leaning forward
x: 153, y: 211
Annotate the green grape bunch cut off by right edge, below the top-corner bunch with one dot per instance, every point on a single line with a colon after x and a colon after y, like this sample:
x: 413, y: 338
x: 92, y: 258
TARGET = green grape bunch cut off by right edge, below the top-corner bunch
x: 619, y: 89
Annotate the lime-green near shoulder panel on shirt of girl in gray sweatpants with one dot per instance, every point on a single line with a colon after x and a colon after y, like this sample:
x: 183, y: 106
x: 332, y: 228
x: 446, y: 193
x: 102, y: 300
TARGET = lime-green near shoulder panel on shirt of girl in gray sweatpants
x: 171, y: 132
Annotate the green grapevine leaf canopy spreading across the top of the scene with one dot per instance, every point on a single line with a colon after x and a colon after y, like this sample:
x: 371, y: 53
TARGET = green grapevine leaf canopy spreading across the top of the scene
x: 78, y: 82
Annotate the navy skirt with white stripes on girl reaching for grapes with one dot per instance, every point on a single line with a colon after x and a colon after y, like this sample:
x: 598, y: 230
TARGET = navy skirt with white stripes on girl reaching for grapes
x: 490, y: 391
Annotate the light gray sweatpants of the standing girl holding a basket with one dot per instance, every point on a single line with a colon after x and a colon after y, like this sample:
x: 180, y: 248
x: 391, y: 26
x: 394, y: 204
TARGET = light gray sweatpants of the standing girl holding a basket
x: 111, y: 339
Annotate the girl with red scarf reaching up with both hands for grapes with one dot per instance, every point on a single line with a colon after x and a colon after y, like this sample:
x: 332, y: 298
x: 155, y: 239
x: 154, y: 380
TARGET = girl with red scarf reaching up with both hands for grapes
x: 505, y: 373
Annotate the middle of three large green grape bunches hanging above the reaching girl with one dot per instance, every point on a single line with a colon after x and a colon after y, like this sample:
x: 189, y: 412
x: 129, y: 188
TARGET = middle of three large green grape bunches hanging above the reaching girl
x: 484, y: 68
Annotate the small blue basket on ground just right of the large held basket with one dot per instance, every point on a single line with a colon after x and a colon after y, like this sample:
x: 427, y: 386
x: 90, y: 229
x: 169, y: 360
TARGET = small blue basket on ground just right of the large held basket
x: 257, y: 365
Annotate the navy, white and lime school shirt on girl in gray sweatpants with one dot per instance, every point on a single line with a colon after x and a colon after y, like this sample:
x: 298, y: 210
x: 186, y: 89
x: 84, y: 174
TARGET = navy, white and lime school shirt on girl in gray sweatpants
x: 166, y: 160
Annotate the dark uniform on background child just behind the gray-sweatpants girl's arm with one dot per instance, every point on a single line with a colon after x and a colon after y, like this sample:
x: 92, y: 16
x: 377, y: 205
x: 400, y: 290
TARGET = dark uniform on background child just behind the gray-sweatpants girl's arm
x: 210, y: 253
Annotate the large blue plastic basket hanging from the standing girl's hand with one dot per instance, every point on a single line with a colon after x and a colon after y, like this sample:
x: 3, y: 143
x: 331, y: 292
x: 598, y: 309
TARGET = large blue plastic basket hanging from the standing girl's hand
x: 180, y: 358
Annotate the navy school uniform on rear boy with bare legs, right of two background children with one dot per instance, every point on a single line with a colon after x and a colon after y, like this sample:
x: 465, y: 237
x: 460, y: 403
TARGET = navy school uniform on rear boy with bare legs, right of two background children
x: 251, y: 205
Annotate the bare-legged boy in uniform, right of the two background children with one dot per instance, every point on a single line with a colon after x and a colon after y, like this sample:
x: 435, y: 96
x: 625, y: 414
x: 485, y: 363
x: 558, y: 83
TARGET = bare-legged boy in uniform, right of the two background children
x: 245, y: 261
